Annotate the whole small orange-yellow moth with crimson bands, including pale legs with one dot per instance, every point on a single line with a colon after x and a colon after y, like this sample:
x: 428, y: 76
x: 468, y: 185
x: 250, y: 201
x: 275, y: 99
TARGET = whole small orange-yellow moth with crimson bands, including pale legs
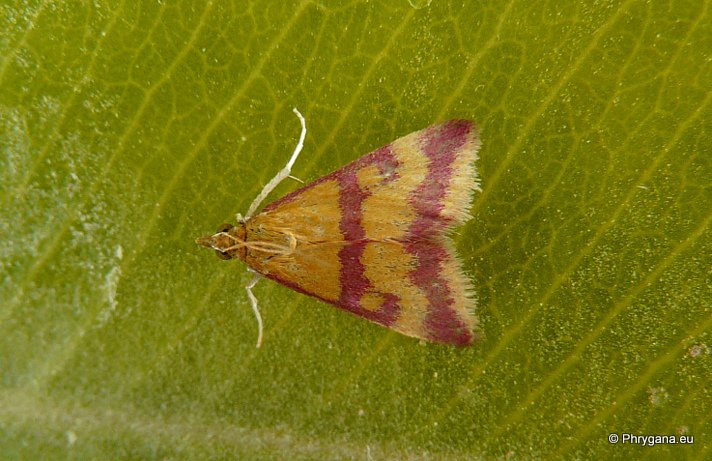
x: 372, y: 237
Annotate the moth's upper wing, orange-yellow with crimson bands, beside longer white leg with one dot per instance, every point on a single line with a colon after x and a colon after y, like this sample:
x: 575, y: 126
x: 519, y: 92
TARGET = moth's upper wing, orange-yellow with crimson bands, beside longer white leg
x: 418, y: 186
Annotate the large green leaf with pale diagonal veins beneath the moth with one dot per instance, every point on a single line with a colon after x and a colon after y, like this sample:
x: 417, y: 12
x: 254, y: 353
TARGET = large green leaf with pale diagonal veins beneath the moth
x: 131, y: 128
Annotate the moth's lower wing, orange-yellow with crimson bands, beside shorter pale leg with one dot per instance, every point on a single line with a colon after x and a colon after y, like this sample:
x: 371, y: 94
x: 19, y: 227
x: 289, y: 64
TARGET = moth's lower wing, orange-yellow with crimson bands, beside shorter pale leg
x: 417, y: 289
